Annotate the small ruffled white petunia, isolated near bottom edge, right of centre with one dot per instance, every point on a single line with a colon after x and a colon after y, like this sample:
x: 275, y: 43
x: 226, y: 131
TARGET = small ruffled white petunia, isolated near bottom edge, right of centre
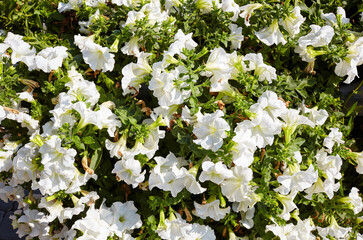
x: 211, y: 210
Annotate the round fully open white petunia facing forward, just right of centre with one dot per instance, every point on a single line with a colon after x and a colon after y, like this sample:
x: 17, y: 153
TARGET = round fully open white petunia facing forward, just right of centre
x: 210, y: 130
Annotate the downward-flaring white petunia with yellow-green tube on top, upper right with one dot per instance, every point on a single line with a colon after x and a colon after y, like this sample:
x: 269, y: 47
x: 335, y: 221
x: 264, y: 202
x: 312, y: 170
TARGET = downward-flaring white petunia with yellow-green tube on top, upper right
x: 271, y: 35
